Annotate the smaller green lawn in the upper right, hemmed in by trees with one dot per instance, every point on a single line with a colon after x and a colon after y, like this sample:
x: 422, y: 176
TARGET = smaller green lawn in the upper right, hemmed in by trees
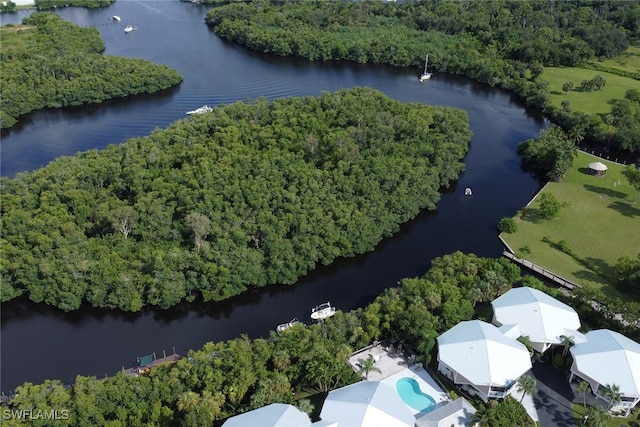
x: 596, y: 101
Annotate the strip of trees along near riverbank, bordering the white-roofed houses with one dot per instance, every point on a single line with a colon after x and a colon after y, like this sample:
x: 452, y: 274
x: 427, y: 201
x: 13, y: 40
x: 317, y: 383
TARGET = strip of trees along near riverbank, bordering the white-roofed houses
x: 227, y: 378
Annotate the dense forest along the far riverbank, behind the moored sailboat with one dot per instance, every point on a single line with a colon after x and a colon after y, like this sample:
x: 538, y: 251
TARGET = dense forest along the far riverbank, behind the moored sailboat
x: 504, y: 44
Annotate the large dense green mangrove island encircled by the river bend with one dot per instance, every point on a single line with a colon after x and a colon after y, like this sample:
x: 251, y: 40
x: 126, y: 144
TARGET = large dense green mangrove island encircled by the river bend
x: 247, y: 195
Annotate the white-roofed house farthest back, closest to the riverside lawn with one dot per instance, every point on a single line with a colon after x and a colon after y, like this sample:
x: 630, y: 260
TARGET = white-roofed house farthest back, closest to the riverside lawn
x: 540, y: 317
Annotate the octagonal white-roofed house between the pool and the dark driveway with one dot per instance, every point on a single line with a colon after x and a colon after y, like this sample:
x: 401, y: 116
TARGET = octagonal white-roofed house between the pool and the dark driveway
x: 476, y: 356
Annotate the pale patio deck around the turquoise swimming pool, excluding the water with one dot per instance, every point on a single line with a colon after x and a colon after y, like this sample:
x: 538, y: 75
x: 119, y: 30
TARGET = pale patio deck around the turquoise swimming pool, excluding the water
x: 394, y: 365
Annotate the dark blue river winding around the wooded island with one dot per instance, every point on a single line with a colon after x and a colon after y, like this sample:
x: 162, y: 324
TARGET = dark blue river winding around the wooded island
x: 39, y: 342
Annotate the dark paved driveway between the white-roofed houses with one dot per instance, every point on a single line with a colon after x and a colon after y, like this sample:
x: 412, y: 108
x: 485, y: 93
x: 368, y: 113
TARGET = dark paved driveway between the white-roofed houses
x: 554, y: 396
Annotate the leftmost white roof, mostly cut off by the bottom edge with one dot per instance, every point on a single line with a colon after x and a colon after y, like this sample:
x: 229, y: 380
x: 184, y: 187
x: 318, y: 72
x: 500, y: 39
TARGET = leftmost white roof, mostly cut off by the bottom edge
x: 274, y: 415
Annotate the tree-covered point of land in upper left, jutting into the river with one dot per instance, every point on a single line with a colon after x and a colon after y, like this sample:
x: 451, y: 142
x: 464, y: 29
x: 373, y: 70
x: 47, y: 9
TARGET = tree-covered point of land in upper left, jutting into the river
x: 49, y: 62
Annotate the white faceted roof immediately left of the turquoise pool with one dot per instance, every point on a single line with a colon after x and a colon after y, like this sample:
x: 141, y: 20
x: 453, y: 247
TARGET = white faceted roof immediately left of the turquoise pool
x: 366, y: 404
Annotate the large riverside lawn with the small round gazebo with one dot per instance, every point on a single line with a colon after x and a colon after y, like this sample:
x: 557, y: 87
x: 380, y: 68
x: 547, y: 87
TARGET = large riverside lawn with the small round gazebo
x: 600, y: 224
